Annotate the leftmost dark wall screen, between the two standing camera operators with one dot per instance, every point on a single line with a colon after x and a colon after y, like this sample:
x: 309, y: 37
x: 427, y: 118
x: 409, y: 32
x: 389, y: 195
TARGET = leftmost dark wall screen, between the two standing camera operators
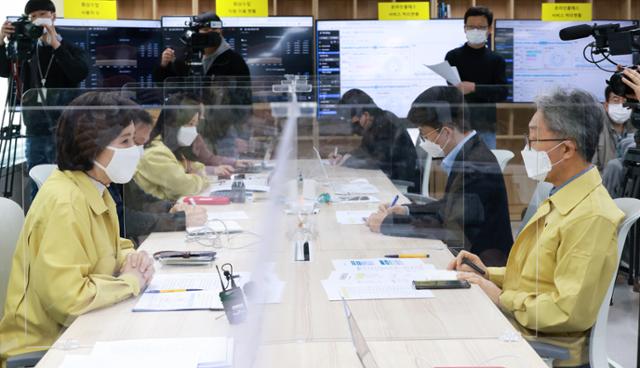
x: 119, y: 51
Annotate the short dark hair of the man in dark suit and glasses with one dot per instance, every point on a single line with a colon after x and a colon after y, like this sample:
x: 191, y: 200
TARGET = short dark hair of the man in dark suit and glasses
x: 439, y: 106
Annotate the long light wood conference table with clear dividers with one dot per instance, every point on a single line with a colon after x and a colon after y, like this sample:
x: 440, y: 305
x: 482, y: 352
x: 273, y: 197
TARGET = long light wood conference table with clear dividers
x: 455, y: 328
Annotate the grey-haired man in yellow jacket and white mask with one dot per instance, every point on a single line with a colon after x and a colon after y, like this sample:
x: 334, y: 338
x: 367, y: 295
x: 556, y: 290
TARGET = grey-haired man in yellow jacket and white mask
x: 563, y: 260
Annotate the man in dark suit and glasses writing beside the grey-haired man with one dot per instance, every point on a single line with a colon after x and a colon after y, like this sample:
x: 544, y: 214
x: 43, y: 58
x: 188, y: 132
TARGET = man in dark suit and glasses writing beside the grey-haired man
x: 474, y: 213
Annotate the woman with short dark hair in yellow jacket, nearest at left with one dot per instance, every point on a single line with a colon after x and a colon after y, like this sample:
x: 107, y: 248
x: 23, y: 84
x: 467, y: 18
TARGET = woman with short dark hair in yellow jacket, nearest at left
x: 69, y: 258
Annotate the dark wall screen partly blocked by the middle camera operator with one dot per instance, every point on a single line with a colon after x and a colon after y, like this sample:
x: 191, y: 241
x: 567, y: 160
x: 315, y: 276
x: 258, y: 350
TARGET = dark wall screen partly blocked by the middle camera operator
x: 270, y: 46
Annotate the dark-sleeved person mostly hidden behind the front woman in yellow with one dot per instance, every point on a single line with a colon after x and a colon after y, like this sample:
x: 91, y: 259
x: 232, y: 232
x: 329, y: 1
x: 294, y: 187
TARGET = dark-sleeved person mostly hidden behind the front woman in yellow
x: 139, y: 213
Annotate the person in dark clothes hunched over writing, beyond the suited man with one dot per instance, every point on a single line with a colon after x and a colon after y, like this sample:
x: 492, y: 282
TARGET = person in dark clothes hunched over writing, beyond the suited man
x: 385, y: 144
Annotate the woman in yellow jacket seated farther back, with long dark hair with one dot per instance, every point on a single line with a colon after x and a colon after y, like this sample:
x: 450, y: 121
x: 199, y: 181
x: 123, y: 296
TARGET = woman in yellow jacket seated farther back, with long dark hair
x: 168, y: 168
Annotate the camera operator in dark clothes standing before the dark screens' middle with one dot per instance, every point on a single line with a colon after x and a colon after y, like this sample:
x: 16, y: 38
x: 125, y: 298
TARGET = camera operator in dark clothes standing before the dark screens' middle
x: 224, y: 130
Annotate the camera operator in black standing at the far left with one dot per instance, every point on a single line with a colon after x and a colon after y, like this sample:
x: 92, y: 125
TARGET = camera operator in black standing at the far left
x: 54, y: 63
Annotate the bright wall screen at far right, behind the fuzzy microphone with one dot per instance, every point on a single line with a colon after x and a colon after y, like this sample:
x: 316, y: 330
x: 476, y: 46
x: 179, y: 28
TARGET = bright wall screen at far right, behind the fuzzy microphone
x: 537, y: 60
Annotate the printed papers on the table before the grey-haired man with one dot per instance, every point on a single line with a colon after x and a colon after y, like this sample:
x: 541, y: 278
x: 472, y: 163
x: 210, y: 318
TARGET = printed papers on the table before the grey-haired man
x: 381, y: 278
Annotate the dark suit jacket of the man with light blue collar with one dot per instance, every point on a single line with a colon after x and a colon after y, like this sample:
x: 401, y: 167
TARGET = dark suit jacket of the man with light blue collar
x: 473, y: 214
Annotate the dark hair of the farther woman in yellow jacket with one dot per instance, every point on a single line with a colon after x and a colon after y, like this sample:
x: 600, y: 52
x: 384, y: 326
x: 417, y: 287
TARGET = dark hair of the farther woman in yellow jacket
x: 178, y: 111
